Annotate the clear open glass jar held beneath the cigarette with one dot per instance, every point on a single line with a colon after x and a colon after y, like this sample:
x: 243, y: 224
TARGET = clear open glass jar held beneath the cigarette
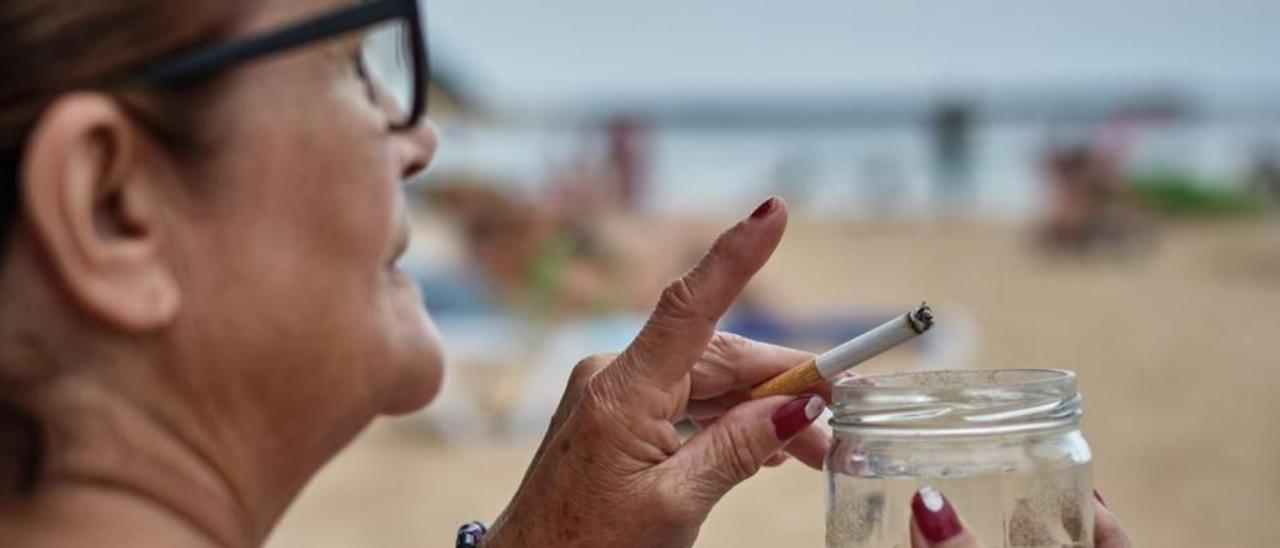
x: 1004, y: 446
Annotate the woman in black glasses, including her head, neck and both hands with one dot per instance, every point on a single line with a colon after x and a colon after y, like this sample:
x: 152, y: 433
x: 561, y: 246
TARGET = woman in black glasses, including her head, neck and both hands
x: 202, y: 304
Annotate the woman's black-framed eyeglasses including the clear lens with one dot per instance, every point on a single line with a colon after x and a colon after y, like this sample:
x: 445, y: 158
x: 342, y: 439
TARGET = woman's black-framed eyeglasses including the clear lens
x: 394, y: 54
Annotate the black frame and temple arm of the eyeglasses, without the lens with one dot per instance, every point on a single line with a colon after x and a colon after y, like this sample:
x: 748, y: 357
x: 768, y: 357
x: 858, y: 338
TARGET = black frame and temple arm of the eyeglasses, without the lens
x: 213, y: 60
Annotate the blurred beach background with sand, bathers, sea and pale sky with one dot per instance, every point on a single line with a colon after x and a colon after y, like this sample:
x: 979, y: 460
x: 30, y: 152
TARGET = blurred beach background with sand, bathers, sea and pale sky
x: 1090, y: 185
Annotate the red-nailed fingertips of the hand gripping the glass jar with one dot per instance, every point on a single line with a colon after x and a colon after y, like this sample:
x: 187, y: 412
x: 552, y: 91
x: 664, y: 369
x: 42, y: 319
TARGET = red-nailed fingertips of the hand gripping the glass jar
x: 935, y: 524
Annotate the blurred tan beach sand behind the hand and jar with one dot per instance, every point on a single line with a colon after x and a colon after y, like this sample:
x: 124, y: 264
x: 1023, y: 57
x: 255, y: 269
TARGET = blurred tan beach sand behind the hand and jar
x: 1177, y: 353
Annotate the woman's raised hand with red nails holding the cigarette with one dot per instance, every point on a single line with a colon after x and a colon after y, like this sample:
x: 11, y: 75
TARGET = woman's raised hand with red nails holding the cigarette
x: 612, y: 471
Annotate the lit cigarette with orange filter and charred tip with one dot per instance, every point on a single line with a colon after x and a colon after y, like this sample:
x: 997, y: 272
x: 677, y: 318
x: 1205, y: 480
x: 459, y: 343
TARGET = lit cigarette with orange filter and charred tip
x: 830, y: 364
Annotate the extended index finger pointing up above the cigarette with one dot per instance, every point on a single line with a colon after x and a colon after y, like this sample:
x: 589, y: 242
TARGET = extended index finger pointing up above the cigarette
x: 683, y: 323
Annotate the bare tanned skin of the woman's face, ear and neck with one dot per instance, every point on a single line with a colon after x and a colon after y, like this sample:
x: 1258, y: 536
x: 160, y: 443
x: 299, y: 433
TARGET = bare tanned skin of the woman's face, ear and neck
x: 200, y: 337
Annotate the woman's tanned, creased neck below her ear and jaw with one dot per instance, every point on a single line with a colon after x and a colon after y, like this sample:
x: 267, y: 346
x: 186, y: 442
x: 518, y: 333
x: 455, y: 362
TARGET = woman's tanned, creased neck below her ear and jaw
x: 118, y: 476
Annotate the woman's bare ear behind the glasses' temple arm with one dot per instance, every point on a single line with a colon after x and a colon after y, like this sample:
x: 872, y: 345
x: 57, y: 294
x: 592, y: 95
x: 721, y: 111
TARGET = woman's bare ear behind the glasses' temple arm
x: 97, y: 211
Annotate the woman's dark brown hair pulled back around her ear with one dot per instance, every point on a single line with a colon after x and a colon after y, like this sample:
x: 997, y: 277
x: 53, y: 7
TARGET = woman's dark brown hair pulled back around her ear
x: 54, y: 47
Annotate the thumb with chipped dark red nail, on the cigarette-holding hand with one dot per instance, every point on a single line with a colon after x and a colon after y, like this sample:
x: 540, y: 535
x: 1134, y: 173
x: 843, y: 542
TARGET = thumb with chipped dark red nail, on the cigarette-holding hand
x: 734, y: 449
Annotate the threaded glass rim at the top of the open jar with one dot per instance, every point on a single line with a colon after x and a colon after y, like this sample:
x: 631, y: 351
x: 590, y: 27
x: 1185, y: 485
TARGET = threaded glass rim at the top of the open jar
x: 958, y: 401
